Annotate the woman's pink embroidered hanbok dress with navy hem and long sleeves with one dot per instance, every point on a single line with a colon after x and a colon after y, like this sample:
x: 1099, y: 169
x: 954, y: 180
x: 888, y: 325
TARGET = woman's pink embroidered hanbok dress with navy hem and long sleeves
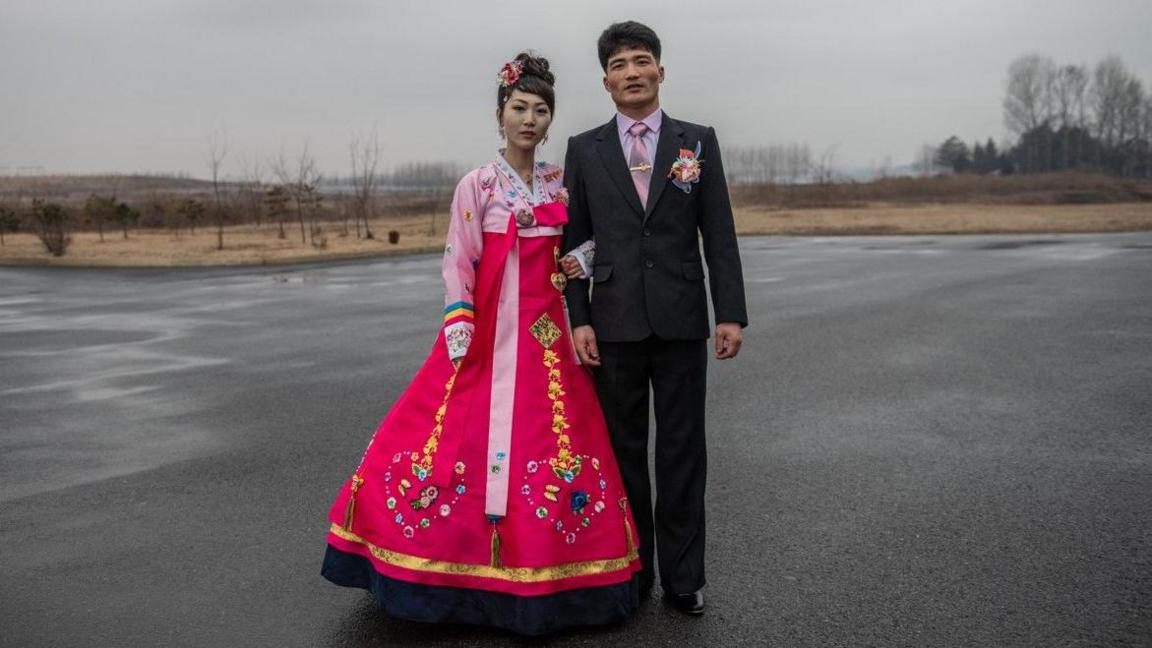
x: 490, y: 494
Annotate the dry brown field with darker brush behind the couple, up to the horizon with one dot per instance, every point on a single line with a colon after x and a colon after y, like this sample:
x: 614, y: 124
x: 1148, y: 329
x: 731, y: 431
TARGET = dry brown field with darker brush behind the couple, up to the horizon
x: 948, y: 205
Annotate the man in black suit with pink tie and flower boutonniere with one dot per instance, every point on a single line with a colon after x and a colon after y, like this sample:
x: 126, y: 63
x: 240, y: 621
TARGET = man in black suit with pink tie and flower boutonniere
x: 650, y: 191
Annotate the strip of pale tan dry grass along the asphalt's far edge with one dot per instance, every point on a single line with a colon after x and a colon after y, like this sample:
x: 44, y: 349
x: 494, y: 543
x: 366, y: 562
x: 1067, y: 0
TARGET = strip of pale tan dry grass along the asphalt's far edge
x: 252, y: 246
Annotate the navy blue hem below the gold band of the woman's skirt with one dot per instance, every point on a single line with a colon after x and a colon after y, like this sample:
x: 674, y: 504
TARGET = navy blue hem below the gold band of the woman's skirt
x: 525, y: 615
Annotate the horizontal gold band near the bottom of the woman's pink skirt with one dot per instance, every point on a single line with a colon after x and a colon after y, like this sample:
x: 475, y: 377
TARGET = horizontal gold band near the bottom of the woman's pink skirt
x: 512, y: 575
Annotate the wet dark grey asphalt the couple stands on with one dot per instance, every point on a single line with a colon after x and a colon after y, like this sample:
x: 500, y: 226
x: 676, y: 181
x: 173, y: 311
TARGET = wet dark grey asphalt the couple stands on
x: 926, y: 442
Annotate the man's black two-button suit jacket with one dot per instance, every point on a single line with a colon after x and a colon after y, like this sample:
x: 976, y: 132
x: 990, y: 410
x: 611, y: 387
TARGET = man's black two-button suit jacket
x: 647, y: 276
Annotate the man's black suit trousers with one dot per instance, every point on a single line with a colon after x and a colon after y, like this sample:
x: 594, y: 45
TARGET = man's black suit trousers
x: 677, y: 372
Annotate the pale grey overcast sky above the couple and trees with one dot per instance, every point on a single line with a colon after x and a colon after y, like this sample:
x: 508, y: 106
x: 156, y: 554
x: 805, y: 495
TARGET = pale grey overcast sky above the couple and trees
x: 139, y: 86
